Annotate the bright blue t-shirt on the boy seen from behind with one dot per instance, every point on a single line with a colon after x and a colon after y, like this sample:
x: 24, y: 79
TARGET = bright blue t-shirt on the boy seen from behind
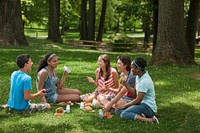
x: 19, y: 82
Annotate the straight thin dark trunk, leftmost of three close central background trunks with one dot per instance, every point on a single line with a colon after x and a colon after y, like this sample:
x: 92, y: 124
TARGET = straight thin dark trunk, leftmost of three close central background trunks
x: 83, y: 26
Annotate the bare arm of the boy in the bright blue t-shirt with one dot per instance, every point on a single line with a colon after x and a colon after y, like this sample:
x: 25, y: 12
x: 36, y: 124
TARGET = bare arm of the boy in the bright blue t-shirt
x: 29, y: 96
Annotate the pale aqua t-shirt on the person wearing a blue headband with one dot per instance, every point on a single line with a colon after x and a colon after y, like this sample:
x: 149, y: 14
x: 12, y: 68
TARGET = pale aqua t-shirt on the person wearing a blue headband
x: 145, y: 85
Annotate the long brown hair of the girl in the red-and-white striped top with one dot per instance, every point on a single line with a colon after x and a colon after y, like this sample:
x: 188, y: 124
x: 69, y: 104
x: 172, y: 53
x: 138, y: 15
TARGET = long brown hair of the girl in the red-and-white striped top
x: 106, y: 60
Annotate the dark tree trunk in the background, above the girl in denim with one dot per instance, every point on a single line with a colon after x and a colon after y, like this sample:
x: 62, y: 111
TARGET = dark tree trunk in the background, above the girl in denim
x: 54, y: 14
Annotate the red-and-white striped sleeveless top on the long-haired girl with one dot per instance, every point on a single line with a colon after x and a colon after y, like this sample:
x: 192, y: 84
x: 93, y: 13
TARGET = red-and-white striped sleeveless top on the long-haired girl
x: 110, y: 82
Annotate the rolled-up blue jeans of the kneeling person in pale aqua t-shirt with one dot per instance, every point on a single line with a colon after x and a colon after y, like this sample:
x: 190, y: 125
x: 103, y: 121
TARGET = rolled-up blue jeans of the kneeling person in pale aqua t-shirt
x: 134, y: 110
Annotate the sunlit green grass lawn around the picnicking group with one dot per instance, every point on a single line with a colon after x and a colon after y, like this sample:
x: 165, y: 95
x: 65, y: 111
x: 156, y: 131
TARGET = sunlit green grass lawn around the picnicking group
x: 177, y: 94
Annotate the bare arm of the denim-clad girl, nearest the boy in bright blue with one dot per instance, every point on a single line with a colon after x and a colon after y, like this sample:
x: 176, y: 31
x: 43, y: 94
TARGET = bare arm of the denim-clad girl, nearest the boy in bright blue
x: 41, y: 79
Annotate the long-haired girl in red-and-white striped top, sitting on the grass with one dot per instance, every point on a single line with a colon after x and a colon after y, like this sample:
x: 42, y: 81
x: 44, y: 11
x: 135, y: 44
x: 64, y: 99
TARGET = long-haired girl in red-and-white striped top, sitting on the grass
x: 106, y: 79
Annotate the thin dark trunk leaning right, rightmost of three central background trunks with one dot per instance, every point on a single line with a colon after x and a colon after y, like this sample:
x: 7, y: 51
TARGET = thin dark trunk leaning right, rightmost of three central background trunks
x: 102, y: 19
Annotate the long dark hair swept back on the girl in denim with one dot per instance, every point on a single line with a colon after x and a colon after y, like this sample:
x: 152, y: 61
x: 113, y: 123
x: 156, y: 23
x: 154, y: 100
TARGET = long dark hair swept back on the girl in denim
x: 44, y: 61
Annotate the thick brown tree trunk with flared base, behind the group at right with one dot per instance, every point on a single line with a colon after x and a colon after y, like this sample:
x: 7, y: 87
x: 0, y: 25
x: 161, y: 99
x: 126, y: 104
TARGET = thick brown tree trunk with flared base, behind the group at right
x: 171, y: 45
